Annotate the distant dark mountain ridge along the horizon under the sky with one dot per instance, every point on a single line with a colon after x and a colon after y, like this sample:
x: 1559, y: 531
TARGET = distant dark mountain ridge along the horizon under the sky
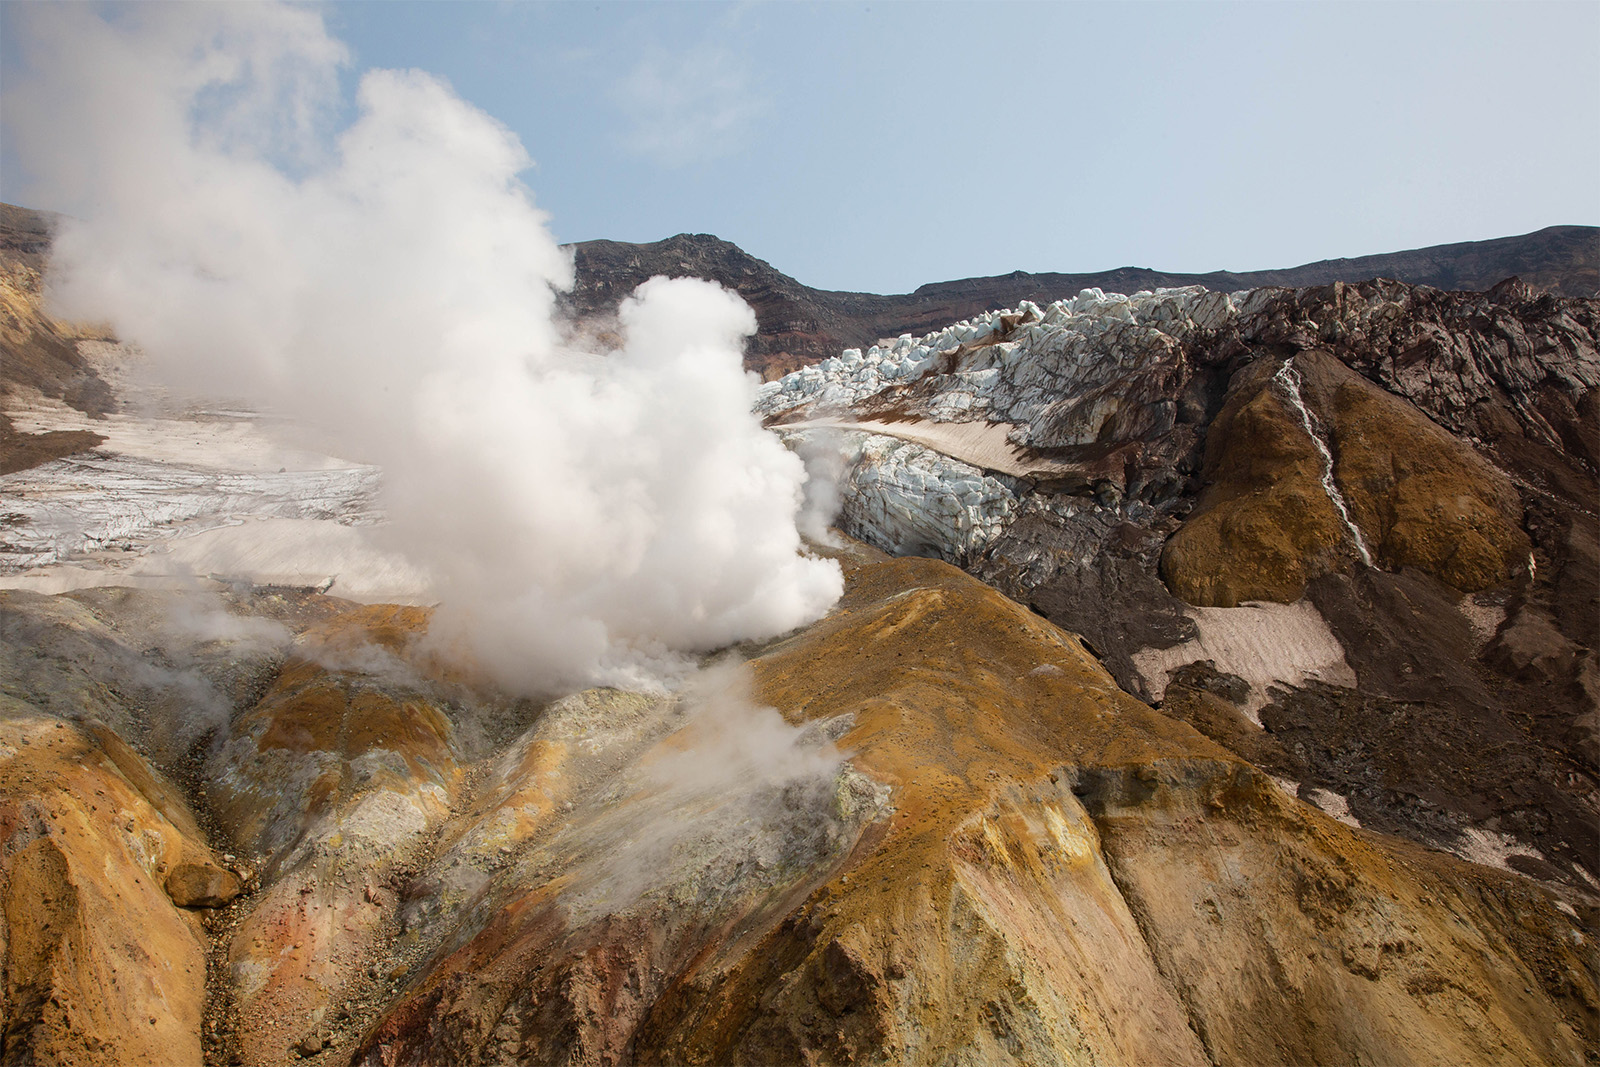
x: 802, y: 326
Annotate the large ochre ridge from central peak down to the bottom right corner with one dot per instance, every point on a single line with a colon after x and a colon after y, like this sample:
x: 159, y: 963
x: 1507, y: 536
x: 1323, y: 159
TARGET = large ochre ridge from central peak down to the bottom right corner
x: 1138, y: 825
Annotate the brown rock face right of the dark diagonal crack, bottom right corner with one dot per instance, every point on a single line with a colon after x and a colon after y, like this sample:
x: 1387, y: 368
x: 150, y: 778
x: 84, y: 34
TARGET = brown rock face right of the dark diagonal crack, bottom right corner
x: 1393, y: 946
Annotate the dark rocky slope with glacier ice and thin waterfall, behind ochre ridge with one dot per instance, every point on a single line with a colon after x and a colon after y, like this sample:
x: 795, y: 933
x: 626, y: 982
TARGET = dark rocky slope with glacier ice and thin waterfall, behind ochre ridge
x: 1410, y: 473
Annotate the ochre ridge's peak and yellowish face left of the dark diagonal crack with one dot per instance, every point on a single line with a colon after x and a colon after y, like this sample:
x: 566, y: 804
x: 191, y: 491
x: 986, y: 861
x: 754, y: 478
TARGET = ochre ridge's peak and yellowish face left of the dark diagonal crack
x: 983, y: 906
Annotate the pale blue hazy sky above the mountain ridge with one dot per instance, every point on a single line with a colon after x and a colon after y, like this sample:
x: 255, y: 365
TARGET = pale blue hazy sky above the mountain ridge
x: 881, y: 146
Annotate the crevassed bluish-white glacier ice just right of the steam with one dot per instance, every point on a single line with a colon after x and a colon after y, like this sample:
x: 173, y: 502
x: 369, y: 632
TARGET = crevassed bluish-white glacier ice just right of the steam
x: 1010, y: 367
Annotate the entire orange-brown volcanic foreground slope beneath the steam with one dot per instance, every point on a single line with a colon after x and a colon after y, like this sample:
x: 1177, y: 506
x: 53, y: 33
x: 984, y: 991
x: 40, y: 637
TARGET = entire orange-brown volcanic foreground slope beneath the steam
x: 927, y: 829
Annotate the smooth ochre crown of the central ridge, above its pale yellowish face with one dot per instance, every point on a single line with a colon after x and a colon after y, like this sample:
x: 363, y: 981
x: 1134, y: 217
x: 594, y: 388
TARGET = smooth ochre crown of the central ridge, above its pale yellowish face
x: 958, y: 692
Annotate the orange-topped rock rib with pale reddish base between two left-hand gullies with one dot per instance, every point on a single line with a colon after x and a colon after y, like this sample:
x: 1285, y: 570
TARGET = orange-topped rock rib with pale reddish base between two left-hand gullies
x: 334, y: 780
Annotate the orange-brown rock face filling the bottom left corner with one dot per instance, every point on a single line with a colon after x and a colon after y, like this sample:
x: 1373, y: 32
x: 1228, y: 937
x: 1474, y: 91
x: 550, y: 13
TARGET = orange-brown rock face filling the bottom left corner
x: 100, y: 965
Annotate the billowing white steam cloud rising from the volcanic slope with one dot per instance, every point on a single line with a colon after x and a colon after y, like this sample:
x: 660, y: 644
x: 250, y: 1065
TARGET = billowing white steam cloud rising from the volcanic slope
x: 588, y: 516
